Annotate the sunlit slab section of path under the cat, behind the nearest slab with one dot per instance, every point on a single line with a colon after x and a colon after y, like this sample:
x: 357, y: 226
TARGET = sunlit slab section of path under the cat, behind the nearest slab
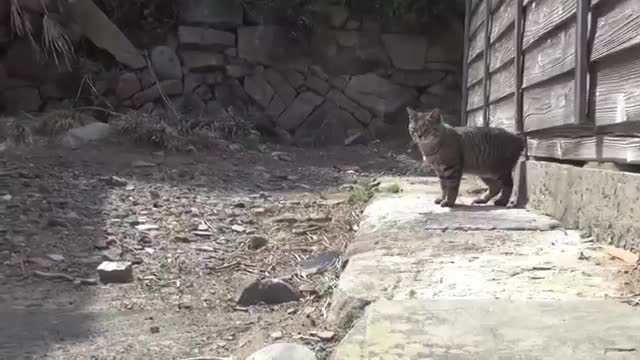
x: 407, y: 247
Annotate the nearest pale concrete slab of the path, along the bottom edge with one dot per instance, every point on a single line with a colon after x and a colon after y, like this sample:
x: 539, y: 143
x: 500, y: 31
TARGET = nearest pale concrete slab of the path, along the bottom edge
x: 493, y: 329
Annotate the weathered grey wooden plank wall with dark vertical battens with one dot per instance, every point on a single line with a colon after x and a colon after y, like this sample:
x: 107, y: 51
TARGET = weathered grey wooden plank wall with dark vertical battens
x: 565, y: 72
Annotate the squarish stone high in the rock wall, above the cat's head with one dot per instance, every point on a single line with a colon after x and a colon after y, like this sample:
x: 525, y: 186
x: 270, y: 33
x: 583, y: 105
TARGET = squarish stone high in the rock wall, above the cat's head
x: 407, y: 52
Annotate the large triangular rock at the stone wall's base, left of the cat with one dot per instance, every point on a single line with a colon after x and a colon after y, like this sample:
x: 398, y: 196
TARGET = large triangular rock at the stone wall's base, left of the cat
x: 327, y: 125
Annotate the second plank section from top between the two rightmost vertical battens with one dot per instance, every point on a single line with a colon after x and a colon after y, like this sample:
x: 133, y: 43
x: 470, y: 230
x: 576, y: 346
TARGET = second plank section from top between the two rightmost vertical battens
x: 551, y: 57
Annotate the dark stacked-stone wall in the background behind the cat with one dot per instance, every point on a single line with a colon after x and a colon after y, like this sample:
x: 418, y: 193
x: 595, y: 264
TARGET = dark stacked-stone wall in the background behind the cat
x: 349, y: 79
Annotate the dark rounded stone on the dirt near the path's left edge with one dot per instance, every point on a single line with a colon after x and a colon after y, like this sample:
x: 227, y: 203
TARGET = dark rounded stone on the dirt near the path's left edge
x: 268, y: 291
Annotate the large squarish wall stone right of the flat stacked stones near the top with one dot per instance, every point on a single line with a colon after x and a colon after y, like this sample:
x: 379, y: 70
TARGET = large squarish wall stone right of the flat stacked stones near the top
x: 269, y: 45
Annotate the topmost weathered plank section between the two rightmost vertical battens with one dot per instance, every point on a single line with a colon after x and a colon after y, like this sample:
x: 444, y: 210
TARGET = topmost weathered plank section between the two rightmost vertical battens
x: 544, y: 15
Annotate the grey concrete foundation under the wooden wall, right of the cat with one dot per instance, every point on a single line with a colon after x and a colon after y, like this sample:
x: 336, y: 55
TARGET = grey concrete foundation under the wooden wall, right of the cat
x: 604, y: 203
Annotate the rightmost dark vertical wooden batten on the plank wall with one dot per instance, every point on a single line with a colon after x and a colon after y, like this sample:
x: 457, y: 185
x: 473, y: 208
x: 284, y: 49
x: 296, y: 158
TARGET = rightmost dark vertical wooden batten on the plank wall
x: 582, y: 61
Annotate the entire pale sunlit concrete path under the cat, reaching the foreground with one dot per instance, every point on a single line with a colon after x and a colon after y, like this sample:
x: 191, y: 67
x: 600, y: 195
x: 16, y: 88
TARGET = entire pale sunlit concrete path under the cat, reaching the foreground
x: 423, y: 282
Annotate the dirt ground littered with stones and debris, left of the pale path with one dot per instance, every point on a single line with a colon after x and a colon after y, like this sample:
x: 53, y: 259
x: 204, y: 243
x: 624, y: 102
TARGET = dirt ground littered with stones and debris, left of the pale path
x: 190, y: 224
